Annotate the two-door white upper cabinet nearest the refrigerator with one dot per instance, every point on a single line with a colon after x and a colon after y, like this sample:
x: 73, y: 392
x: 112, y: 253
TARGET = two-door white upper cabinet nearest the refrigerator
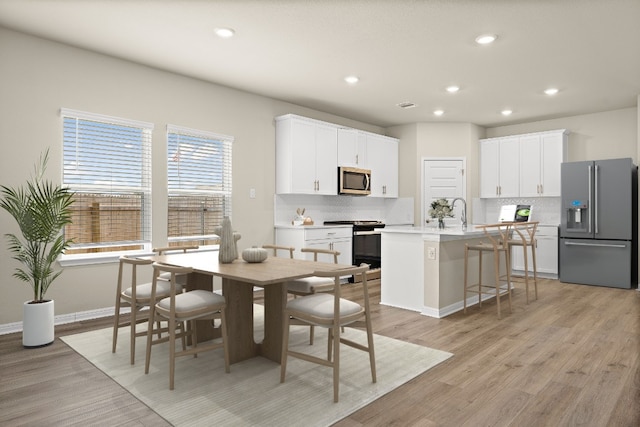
x: 541, y: 155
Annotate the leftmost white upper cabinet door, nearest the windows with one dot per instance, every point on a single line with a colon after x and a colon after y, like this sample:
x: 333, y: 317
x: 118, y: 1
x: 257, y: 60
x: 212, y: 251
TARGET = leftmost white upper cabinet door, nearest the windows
x: 303, y: 161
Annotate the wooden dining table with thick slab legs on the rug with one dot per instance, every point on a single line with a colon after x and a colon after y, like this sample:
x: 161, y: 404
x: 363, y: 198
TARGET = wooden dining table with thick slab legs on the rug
x: 238, y: 281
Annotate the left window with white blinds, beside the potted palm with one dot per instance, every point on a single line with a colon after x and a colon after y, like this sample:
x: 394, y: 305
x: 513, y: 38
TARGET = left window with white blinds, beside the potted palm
x: 107, y: 163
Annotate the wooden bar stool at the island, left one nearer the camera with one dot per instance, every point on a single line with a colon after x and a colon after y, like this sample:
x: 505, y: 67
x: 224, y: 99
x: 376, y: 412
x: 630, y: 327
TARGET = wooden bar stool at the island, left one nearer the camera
x: 498, y: 236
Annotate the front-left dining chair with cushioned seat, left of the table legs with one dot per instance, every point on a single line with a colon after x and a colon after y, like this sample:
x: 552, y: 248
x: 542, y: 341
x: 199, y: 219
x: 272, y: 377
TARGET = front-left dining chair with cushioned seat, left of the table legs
x: 183, y: 307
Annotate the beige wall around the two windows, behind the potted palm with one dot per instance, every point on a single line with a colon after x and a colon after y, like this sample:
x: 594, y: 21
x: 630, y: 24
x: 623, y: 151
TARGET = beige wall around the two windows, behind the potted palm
x: 38, y: 77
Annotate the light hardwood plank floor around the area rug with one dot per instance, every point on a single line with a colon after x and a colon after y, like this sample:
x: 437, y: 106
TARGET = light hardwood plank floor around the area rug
x: 571, y: 358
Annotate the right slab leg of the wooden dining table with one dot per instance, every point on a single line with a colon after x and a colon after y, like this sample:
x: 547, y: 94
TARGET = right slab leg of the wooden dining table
x: 275, y: 297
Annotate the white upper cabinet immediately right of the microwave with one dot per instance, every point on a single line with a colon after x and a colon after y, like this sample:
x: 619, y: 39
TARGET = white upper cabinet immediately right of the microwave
x: 382, y: 159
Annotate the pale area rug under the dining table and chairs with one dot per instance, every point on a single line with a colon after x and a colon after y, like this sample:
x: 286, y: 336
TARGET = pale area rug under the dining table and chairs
x: 252, y: 395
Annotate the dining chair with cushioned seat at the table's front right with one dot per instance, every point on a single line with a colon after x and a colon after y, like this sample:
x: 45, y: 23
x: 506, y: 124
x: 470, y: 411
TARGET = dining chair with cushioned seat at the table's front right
x: 329, y: 310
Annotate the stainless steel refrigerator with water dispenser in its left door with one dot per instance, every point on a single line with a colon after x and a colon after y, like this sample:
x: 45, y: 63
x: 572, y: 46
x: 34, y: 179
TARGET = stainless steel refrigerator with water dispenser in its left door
x: 598, y: 230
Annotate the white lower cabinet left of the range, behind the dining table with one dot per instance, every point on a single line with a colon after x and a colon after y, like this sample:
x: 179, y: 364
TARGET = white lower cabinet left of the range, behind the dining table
x: 333, y: 238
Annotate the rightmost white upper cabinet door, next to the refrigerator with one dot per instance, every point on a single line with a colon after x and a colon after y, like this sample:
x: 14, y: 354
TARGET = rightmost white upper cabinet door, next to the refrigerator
x: 553, y: 151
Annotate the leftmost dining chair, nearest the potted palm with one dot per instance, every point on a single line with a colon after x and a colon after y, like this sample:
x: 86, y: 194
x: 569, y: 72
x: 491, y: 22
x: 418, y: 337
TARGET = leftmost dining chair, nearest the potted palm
x: 138, y: 297
